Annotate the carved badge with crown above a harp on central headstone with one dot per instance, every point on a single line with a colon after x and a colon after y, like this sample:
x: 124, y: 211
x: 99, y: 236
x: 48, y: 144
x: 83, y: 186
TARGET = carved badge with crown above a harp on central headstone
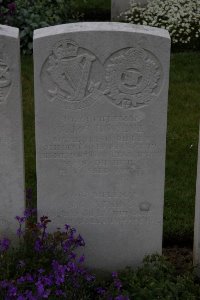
x: 69, y: 75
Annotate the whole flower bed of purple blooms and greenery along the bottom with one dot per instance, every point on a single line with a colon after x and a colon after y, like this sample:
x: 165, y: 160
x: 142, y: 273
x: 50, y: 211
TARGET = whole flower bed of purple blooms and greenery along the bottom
x: 46, y: 266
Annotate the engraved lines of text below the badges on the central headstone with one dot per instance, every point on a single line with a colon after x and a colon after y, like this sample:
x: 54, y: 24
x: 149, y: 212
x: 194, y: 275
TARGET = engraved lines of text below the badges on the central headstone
x: 100, y: 153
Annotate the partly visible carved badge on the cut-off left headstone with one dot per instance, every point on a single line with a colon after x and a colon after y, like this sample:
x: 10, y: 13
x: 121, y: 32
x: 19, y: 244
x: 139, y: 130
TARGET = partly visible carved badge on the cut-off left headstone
x: 5, y: 79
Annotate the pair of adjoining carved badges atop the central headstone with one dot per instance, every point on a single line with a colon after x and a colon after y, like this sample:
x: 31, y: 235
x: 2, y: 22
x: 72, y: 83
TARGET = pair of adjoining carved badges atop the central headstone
x: 130, y: 77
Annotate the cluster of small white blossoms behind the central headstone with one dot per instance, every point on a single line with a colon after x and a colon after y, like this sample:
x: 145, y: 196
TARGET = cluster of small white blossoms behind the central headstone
x: 180, y: 17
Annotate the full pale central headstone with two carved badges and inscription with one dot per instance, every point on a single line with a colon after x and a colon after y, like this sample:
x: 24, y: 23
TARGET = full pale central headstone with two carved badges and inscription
x: 101, y: 94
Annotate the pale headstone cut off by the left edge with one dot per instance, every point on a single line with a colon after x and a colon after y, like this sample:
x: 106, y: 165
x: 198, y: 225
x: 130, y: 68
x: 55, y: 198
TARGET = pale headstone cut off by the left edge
x: 11, y: 136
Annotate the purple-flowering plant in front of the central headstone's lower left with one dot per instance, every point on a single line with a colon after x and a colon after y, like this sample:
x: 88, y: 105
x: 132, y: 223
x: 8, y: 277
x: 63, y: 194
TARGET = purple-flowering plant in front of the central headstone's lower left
x: 46, y: 265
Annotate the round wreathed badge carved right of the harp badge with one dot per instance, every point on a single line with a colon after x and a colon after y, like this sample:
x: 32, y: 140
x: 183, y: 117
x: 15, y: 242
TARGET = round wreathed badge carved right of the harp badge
x: 133, y: 77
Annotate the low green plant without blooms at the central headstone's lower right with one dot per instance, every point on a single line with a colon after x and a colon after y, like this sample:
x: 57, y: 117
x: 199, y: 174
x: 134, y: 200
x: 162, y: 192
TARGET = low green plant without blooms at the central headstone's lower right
x: 157, y: 279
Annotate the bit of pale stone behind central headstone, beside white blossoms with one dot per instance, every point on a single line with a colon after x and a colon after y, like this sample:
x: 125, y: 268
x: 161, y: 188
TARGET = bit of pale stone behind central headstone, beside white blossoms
x: 119, y: 6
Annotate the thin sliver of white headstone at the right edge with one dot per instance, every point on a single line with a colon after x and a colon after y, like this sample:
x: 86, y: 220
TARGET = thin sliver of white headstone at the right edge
x: 196, y: 250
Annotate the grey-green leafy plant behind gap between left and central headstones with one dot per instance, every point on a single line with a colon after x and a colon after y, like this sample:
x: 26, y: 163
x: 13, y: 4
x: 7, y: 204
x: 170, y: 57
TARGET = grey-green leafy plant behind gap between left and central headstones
x: 31, y: 15
